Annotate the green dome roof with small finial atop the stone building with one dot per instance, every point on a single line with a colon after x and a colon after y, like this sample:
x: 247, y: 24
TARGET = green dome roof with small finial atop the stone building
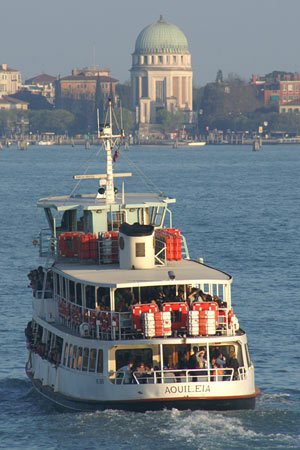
x: 161, y: 37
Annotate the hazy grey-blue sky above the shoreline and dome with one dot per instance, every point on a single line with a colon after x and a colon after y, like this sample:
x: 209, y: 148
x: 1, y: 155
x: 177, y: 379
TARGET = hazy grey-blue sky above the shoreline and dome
x: 237, y: 36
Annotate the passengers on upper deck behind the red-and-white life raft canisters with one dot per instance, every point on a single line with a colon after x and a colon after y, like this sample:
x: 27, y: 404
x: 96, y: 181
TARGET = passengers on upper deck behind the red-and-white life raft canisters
x: 125, y: 299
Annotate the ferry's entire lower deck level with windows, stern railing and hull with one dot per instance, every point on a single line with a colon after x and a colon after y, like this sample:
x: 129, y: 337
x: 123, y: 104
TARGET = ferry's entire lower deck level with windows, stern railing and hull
x: 196, y: 373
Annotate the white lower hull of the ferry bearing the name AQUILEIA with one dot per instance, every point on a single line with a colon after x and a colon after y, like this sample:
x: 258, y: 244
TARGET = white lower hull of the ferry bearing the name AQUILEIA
x: 84, y: 392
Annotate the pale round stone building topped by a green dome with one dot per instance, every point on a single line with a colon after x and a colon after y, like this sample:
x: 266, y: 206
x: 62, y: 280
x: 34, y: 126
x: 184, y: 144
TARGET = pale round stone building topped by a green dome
x: 161, y: 73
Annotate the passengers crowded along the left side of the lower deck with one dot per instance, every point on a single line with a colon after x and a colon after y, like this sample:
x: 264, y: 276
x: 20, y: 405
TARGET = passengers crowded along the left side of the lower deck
x: 35, y: 344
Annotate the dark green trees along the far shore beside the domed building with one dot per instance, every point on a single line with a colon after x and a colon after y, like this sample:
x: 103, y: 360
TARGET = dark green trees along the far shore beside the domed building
x: 232, y: 104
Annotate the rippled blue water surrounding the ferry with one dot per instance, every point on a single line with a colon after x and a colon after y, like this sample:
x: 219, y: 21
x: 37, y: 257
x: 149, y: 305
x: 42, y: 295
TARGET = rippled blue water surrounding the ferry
x: 239, y: 210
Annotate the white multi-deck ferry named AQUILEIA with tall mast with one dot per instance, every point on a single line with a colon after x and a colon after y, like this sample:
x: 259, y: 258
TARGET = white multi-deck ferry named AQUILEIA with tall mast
x: 122, y: 317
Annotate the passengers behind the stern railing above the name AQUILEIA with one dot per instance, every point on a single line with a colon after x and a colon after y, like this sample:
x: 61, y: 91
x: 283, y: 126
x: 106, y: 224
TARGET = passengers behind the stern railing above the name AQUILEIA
x: 218, y: 363
